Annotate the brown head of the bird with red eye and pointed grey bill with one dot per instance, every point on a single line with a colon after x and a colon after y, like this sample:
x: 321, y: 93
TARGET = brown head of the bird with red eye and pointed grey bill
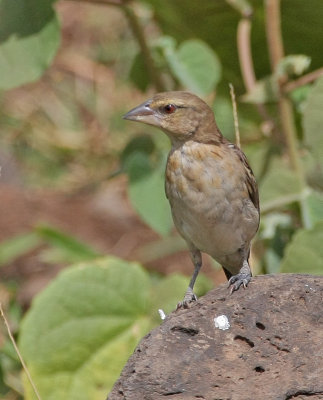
x: 181, y: 115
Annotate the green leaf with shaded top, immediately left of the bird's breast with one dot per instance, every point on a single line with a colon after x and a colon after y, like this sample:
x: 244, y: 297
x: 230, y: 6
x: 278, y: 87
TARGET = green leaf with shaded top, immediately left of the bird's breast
x: 146, y: 192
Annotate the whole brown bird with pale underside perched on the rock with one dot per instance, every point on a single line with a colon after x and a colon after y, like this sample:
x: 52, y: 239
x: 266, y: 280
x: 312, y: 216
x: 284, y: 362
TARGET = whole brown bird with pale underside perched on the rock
x: 209, y: 184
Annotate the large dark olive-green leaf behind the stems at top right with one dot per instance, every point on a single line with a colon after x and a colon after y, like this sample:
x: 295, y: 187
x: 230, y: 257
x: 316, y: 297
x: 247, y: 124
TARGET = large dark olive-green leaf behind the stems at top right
x: 215, y: 22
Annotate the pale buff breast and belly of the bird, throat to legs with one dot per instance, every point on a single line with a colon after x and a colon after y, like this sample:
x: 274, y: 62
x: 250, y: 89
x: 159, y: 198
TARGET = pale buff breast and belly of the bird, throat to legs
x: 208, y: 197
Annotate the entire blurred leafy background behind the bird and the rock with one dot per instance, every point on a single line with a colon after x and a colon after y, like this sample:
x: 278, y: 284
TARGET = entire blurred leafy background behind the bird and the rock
x: 88, y: 252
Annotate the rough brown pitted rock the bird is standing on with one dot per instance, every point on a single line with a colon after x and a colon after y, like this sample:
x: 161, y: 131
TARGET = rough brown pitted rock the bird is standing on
x: 272, y: 350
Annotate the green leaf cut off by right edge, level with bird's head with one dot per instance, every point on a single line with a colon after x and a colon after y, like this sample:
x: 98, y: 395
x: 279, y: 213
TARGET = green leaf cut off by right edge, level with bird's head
x: 313, y: 120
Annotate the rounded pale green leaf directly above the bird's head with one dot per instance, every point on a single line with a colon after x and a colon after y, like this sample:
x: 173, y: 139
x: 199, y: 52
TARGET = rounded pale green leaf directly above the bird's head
x: 195, y: 65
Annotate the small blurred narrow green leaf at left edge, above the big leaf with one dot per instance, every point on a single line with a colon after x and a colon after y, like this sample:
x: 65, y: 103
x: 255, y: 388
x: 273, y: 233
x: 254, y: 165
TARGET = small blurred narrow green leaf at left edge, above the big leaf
x: 17, y: 246
